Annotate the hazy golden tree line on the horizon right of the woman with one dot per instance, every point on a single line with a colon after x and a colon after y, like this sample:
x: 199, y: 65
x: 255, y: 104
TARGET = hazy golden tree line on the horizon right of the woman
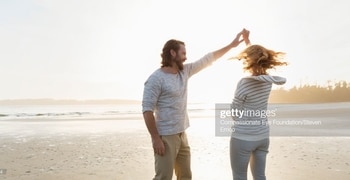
x: 336, y: 92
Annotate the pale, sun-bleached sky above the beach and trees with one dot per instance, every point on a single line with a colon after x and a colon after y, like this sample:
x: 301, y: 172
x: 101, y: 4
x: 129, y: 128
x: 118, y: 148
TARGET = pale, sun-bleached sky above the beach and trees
x: 106, y: 49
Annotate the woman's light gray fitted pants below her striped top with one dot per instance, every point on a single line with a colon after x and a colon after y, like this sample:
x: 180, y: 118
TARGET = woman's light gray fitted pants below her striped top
x: 244, y: 152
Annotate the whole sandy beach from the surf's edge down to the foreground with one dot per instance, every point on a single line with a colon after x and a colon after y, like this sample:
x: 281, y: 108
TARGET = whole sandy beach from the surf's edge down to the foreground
x: 121, y: 149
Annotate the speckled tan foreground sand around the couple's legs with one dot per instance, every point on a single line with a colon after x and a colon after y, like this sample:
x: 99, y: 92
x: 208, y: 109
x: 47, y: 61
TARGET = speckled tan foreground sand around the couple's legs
x: 129, y: 156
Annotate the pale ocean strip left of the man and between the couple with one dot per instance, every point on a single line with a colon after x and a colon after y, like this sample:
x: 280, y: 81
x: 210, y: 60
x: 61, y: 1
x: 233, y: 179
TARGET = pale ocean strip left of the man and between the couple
x: 88, y: 111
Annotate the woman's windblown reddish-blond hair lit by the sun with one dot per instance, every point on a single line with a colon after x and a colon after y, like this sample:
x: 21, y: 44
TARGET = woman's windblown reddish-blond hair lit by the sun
x: 259, y: 59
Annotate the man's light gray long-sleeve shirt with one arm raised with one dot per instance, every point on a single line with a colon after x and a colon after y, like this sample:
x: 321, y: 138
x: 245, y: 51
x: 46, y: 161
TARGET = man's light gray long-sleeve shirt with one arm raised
x: 165, y: 94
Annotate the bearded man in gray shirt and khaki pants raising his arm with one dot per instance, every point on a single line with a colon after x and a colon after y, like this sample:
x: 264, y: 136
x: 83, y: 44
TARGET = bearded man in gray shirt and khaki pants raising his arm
x: 164, y: 107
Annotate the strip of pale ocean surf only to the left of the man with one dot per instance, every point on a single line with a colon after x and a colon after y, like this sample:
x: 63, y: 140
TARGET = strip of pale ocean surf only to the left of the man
x: 75, y: 111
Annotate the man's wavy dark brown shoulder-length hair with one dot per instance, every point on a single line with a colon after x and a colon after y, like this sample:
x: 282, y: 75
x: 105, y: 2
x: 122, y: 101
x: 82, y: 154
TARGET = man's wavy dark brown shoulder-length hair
x: 172, y: 44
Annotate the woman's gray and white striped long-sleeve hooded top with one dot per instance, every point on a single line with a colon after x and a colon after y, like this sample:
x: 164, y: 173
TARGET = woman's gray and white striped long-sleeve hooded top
x: 251, y: 98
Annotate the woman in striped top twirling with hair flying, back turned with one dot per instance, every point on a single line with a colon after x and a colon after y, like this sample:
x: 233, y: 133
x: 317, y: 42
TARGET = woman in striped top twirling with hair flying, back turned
x: 250, y: 136
